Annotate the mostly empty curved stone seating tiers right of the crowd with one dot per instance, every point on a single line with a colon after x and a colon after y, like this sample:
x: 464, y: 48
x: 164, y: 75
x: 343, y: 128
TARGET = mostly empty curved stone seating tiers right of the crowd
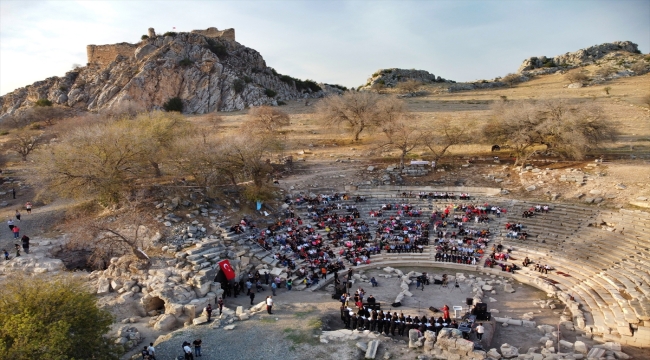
x: 600, y: 258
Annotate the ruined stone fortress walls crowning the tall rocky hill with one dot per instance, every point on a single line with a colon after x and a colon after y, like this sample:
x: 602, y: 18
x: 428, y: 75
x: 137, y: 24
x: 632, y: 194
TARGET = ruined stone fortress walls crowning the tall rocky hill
x: 102, y: 55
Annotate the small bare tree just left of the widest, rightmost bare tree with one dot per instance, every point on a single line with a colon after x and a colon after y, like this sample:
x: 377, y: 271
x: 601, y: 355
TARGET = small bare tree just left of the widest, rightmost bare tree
x: 444, y: 133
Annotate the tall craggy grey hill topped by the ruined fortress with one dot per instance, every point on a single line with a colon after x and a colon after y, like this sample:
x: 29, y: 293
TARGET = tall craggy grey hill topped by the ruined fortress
x: 207, y: 69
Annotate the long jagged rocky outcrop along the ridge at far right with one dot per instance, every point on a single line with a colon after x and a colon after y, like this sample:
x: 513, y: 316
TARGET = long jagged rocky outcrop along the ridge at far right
x: 580, y: 57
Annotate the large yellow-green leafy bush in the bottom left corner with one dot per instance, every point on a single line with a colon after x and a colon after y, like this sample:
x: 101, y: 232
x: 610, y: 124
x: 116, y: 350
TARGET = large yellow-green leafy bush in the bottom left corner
x: 53, y: 318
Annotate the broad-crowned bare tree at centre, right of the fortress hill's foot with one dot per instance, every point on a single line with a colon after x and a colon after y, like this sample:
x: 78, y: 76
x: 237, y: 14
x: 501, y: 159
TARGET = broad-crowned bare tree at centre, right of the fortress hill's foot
x: 358, y: 110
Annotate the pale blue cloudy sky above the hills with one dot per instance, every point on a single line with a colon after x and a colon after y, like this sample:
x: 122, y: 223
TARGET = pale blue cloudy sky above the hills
x: 332, y: 41
